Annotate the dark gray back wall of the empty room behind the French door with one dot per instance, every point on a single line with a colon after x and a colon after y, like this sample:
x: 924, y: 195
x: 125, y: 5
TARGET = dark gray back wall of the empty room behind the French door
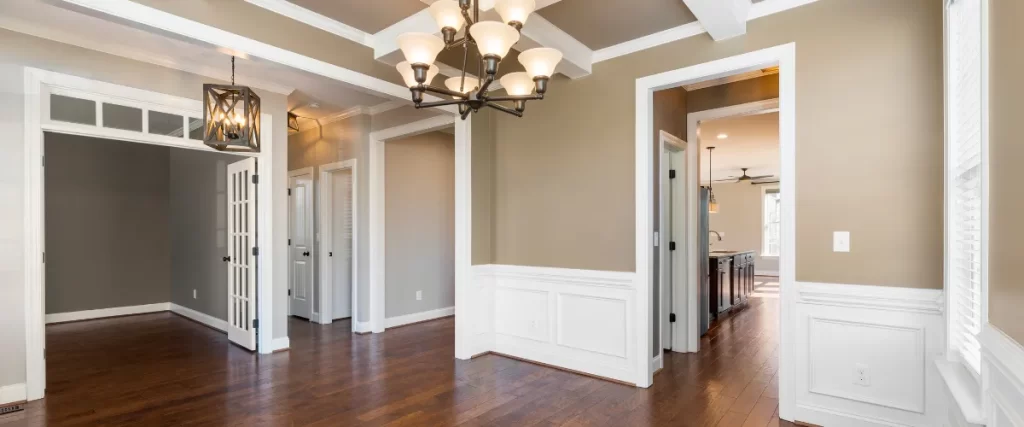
x: 108, y: 243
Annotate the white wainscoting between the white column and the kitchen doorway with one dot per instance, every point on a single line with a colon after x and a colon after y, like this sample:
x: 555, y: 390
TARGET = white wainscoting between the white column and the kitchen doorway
x: 577, y: 320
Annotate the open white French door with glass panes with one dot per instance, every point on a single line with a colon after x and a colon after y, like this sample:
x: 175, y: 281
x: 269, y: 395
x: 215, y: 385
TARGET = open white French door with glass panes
x: 242, y: 244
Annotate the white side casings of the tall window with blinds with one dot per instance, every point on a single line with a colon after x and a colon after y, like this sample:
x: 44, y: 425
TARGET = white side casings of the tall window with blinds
x: 953, y: 353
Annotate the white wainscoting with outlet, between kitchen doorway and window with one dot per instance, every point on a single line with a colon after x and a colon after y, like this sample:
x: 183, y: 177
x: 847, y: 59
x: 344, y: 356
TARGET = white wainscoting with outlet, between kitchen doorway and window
x: 894, y: 335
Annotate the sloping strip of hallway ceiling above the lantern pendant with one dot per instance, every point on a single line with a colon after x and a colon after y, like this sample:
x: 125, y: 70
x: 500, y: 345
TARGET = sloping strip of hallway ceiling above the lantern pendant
x: 72, y: 27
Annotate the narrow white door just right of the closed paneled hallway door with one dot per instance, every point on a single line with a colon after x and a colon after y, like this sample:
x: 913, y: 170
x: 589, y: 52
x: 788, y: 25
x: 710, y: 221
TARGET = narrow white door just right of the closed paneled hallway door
x: 342, y: 253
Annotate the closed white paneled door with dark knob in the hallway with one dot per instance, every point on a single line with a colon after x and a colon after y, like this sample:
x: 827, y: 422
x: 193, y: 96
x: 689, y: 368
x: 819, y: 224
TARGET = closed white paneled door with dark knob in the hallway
x: 301, y: 251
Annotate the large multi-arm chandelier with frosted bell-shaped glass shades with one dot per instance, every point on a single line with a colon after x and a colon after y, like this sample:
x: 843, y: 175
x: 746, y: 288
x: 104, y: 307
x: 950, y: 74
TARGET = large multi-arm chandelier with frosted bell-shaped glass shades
x: 493, y: 41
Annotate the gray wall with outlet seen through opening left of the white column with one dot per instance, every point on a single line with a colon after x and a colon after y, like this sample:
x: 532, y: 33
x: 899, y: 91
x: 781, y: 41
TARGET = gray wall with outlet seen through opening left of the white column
x: 420, y: 224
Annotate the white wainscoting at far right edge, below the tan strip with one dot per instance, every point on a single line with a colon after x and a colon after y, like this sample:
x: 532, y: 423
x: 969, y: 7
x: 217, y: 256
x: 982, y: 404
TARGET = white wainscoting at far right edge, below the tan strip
x: 1003, y: 379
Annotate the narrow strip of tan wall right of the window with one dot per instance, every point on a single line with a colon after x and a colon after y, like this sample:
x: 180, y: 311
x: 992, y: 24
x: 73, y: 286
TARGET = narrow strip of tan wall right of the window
x: 1006, y: 151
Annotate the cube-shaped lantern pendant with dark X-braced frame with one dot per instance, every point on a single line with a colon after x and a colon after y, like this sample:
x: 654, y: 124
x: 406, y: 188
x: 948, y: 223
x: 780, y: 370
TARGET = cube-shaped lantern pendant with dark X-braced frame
x: 231, y: 117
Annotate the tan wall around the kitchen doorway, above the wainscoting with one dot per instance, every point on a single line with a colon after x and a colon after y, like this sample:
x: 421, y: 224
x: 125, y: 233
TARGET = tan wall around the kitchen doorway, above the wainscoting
x: 869, y: 140
